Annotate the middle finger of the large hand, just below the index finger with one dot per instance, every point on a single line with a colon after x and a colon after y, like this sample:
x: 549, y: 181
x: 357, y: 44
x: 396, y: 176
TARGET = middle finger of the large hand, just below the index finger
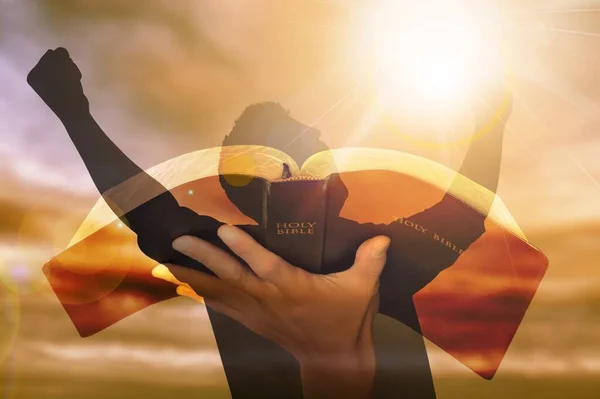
x: 218, y: 261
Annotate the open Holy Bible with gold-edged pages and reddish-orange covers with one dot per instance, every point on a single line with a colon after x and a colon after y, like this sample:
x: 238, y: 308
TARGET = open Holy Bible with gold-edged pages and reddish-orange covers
x: 457, y: 256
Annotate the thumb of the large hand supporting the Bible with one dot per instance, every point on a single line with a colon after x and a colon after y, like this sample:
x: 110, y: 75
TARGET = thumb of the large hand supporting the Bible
x: 370, y: 259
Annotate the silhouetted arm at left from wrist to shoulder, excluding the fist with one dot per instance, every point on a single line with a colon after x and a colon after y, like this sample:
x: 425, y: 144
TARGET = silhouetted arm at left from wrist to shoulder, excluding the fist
x: 140, y: 201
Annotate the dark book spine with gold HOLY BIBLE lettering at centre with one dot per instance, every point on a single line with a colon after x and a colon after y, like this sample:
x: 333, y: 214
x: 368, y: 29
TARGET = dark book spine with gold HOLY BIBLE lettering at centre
x: 294, y: 213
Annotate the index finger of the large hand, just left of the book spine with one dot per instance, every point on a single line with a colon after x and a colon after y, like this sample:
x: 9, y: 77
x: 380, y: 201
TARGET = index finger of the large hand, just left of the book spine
x: 263, y: 262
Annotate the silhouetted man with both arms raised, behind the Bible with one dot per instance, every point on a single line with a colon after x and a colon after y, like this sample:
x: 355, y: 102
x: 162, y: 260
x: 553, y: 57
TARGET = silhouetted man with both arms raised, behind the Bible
x: 254, y: 366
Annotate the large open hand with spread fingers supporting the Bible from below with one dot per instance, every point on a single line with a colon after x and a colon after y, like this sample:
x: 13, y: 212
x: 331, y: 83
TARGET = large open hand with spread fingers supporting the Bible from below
x: 325, y: 321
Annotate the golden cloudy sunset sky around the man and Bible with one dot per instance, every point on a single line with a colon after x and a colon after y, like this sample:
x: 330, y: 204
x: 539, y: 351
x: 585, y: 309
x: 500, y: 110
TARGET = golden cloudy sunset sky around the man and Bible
x: 165, y: 78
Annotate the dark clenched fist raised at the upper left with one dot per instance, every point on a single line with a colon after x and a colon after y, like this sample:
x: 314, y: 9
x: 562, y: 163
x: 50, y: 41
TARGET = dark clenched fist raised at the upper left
x: 57, y: 80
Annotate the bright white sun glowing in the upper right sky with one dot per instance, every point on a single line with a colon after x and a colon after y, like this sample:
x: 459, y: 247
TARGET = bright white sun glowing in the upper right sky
x: 433, y: 51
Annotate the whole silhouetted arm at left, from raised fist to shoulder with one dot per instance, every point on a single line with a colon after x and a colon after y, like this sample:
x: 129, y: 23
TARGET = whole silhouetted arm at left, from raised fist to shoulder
x: 160, y: 219
